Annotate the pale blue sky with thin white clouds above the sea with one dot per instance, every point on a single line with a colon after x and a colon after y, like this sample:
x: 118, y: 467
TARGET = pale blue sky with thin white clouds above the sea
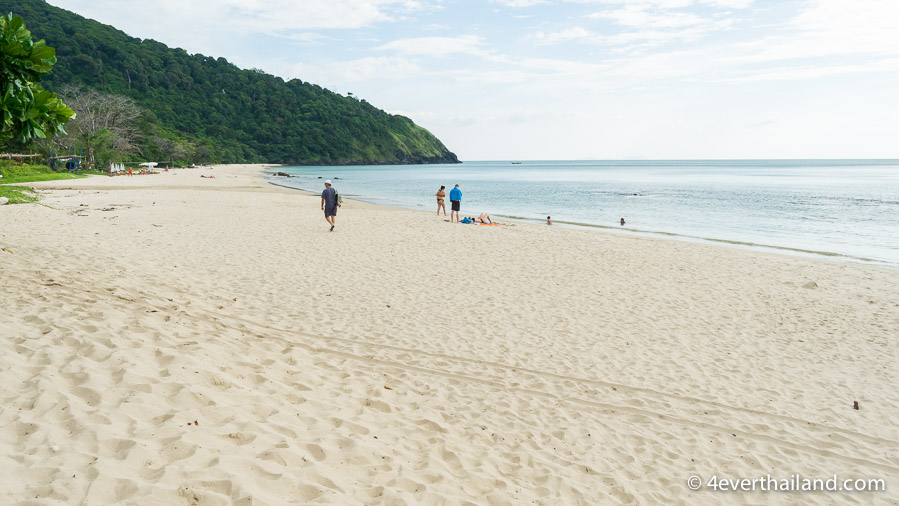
x: 573, y: 79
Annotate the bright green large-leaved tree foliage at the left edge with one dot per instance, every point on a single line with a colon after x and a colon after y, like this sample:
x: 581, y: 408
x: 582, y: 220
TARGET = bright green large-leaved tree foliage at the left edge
x: 28, y: 110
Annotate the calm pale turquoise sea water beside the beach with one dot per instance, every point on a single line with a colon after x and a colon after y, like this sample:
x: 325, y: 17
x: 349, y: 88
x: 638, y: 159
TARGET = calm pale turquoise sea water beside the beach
x: 842, y: 208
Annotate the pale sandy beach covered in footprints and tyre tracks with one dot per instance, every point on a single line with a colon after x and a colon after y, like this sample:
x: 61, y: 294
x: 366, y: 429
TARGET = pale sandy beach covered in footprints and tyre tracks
x: 171, y: 339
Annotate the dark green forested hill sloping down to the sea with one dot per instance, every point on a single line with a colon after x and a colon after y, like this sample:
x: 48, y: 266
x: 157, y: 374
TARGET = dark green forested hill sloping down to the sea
x: 232, y: 115
